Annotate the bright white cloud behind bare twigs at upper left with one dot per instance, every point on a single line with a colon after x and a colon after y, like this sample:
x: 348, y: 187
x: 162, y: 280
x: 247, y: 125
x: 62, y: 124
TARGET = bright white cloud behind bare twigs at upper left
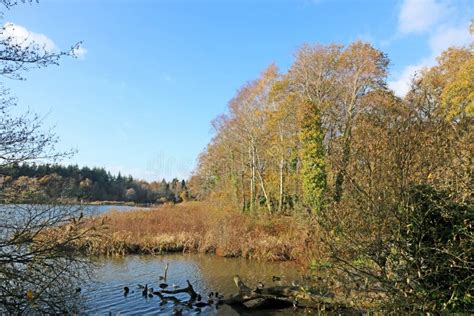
x: 19, y: 35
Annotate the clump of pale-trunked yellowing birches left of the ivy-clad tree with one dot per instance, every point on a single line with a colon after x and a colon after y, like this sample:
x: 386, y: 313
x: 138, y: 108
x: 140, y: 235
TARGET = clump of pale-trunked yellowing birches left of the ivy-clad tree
x: 238, y: 163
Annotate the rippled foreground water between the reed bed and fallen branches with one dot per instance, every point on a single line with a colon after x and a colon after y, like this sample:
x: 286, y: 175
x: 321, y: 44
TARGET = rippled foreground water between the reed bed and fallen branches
x: 206, y: 274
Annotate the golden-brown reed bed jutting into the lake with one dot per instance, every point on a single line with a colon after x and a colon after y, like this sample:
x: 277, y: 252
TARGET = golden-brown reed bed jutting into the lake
x: 199, y: 227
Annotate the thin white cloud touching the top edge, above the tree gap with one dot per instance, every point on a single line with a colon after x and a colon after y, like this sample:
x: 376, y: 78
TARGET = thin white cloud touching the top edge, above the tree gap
x: 417, y: 16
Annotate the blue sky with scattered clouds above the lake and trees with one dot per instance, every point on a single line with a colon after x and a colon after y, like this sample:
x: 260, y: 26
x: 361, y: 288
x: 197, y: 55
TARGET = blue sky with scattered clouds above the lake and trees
x: 153, y: 74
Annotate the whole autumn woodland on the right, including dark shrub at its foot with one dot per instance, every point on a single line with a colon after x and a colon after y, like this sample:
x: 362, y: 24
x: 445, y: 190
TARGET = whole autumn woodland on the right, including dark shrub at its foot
x: 384, y: 182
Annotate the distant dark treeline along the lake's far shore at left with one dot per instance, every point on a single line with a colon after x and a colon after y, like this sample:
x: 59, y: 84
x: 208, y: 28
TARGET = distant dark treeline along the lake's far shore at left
x: 94, y: 184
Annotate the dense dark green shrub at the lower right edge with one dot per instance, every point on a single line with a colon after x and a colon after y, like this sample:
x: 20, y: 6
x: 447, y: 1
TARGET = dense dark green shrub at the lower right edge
x: 434, y: 256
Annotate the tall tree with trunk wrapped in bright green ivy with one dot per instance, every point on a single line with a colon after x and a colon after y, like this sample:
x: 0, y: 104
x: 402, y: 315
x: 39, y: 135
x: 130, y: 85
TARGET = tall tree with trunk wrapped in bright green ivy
x: 312, y: 76
